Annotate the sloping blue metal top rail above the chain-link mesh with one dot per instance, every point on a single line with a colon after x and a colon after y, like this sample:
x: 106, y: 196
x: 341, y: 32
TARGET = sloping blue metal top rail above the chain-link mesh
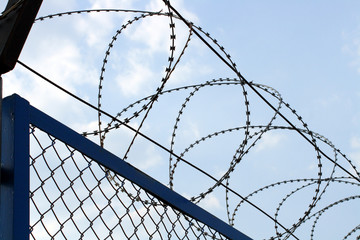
x: 124, y: 169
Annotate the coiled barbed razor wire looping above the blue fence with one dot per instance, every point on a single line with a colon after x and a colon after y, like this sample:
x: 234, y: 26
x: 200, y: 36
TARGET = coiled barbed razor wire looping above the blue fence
x: 252, y: 134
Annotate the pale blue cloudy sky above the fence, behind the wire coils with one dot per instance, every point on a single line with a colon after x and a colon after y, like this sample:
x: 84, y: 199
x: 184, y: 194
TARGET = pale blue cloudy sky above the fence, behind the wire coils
x: 307, y: 52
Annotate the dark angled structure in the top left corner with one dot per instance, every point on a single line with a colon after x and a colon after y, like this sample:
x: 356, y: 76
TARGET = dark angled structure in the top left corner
x: 15, y: 25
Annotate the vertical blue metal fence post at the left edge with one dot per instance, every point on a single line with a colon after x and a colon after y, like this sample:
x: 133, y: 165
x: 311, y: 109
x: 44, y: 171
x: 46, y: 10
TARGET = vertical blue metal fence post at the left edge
x: 14, y: 189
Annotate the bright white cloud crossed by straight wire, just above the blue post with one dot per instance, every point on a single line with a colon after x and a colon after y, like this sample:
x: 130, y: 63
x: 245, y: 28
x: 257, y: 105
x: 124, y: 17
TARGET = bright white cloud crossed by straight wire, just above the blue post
x: 60, y: 60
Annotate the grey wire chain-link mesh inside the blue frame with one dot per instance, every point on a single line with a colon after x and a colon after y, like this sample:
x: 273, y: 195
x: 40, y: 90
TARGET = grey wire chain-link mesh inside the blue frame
x: 74, y: 197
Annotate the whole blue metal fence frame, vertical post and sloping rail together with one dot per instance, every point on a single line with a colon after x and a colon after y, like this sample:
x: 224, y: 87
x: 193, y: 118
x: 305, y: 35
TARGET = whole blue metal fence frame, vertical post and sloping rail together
x: 17, y: 115
